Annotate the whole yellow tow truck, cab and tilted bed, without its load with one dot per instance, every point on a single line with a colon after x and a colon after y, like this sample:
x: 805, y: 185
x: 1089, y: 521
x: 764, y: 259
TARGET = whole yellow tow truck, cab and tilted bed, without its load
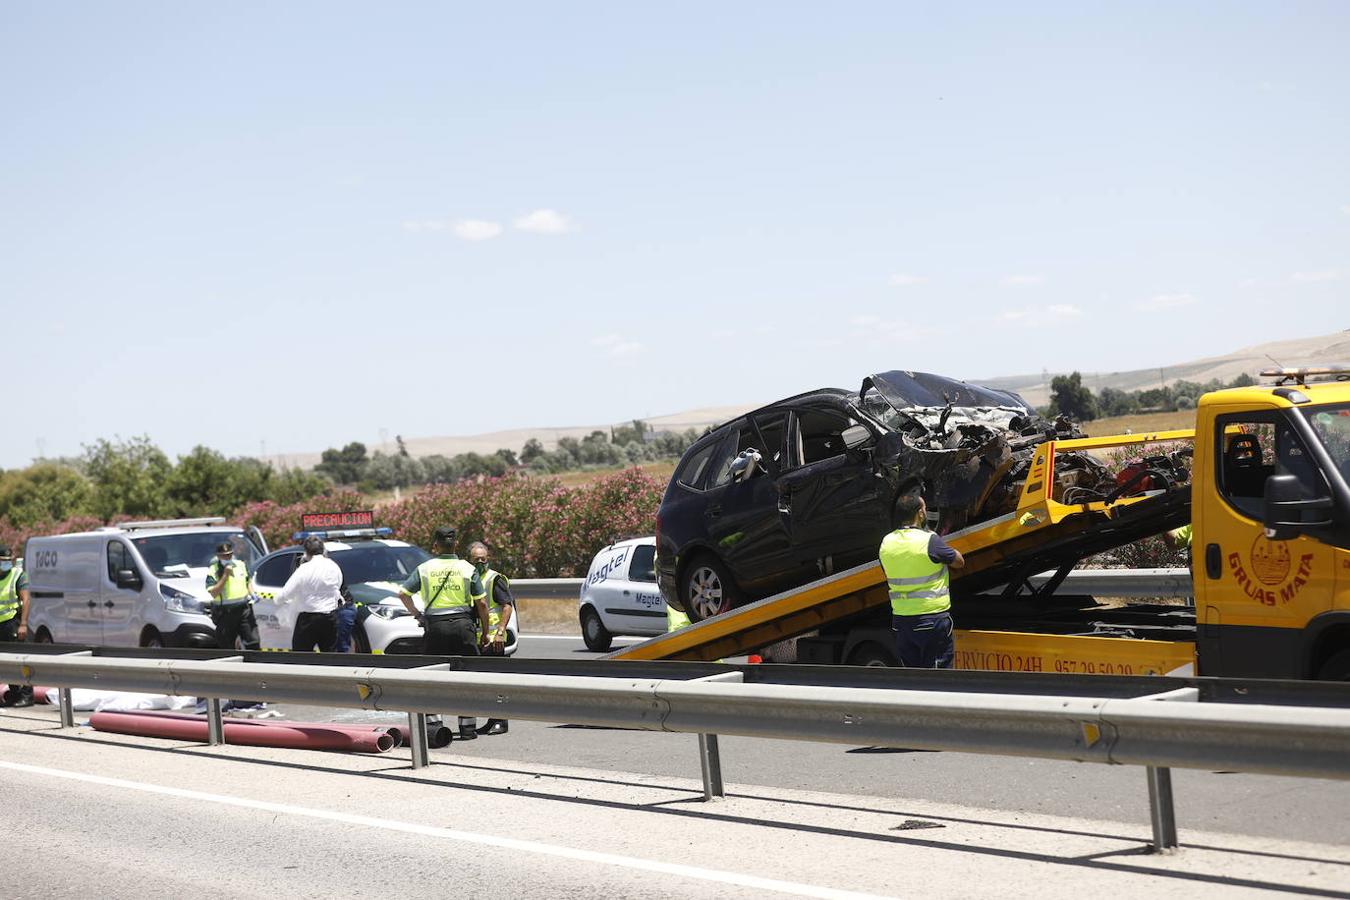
x: 1270, y: 509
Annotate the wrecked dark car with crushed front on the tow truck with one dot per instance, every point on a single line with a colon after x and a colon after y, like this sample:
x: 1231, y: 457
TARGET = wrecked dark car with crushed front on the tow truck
x: 804, y: 488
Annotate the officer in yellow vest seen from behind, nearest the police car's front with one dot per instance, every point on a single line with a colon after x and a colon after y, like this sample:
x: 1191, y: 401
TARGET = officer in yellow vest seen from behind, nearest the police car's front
x: 454, y: 604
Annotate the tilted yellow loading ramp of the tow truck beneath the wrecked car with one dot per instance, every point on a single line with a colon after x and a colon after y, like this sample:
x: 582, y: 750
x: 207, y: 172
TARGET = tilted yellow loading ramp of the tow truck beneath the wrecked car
x: 1040, y: 535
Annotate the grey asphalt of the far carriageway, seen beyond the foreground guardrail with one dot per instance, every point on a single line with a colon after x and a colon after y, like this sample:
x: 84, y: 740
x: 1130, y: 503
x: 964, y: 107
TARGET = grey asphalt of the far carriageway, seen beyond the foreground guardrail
x: 1248, y: 805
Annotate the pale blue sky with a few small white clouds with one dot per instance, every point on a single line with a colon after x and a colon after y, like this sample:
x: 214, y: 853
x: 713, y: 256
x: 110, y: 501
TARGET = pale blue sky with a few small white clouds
x: 303, y: 223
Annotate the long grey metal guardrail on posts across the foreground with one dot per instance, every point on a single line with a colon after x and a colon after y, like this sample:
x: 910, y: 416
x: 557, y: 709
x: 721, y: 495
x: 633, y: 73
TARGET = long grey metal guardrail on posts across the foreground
x: 1162, y: 729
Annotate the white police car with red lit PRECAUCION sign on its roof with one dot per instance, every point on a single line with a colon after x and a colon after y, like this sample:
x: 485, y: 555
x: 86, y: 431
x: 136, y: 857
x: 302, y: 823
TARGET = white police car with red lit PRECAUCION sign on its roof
x: 373, y: 566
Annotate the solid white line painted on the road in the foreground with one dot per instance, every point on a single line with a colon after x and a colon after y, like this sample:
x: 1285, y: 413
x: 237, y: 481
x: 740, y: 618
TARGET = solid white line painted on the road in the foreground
x: 465, y: 837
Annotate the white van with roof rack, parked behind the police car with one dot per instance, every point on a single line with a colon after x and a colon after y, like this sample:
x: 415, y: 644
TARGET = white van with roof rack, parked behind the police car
x: 133, y: 585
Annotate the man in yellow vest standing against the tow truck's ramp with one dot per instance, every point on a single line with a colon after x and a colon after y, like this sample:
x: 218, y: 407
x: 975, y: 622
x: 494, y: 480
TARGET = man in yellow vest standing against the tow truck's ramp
x: 916, y: 563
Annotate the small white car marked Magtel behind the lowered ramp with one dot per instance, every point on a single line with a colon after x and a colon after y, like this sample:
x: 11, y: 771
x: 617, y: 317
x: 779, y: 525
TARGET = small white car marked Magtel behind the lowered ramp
x: 620, y: 596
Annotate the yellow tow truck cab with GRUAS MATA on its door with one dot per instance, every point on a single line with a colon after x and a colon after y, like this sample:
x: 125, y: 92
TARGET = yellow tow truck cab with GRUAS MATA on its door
x: 1271, y: 516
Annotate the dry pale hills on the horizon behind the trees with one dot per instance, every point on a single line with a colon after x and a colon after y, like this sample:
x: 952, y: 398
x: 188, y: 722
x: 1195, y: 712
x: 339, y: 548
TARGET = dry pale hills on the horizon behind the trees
x: 1305, y: 351
